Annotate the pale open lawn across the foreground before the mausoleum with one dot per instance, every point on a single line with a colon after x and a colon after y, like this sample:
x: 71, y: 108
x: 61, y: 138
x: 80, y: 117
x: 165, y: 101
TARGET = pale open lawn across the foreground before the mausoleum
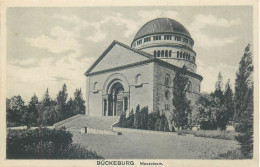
x: 134, y: 145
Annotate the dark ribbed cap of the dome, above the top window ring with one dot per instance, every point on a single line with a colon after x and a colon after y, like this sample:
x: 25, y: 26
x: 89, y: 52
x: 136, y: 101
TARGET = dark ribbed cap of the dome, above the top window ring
x: 161, y: 25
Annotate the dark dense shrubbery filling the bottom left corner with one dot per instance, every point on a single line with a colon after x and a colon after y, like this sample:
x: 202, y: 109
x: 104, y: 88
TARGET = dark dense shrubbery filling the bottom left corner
x: 44, y: 144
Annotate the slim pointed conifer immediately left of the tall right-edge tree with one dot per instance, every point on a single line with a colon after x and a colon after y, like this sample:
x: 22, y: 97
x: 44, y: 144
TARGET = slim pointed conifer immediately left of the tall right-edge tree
x: 229, y: 101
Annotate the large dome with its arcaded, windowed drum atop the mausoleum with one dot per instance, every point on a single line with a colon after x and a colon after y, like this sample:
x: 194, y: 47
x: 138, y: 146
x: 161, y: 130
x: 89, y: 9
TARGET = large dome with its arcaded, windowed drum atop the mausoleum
x: 167, y: 40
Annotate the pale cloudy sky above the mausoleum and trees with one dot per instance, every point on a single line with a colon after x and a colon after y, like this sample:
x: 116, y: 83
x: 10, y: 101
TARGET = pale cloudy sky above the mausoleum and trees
x: 47, y: 47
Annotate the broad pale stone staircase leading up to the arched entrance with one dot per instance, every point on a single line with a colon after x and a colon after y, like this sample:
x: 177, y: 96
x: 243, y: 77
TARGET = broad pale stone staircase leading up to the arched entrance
x: 94, y: 122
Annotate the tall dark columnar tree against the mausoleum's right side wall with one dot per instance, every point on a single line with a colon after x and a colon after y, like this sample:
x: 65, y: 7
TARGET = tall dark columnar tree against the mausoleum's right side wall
x: 180, y: 101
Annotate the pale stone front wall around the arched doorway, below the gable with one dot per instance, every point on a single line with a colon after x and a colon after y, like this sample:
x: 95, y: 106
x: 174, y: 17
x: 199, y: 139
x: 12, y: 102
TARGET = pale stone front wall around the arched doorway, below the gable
x: 137, y: 94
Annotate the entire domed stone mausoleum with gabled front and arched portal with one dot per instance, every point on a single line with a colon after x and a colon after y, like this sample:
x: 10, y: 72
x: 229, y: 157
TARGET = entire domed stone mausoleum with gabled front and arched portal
x: 125, y: 76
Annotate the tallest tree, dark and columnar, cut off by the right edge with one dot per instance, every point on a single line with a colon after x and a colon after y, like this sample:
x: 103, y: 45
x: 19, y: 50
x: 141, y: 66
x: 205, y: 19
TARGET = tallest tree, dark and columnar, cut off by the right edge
x: 244, y: 103
